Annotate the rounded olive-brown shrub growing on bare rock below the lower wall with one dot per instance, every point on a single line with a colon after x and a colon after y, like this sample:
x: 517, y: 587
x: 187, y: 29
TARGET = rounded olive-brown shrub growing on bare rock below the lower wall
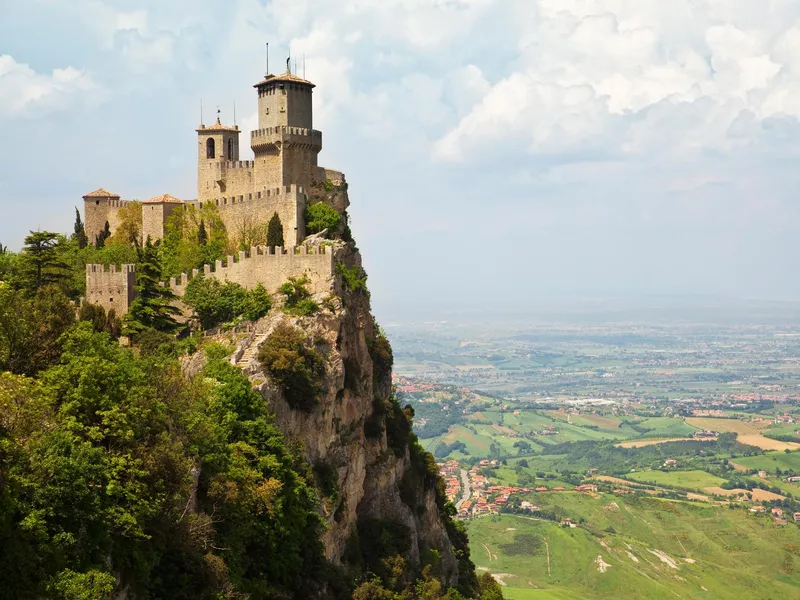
x: 294, y: 365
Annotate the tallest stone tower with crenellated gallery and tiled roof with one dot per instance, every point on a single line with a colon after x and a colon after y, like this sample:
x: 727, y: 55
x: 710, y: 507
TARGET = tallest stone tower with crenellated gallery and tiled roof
x: 285, y: 144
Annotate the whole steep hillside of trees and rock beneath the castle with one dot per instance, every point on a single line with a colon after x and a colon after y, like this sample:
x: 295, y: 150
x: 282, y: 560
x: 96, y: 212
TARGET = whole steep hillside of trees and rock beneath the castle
x: 234, y: 443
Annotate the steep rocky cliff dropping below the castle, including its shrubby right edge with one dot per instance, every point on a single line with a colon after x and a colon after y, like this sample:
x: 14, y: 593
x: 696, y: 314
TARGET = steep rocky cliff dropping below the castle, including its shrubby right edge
x: 372, y: 475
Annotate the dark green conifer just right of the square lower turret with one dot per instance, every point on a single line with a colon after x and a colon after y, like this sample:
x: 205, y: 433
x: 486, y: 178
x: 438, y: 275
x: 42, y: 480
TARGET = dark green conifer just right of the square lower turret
x: 153, y: 306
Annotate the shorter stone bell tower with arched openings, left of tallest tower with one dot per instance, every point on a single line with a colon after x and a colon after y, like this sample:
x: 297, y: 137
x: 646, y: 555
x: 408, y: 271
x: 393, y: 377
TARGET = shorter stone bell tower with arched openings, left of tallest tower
x: 217, y: 150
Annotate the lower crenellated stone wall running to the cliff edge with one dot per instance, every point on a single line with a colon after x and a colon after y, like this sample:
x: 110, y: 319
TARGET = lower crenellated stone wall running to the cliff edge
x: 271, y: 267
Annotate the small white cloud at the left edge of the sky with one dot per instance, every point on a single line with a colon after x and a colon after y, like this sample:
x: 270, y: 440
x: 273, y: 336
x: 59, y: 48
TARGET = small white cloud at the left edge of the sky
x: 26, y: 93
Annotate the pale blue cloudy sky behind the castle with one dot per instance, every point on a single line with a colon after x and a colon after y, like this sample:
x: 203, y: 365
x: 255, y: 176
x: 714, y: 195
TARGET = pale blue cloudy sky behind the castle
x: 500, y: 153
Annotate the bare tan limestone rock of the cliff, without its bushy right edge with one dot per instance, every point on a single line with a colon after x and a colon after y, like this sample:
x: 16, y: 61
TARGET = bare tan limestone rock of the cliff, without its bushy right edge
x: 346, y: 435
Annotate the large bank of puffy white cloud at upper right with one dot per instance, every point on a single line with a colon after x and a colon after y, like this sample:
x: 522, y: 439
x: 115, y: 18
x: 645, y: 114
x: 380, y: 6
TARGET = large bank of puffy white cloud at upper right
x: 619, y: 74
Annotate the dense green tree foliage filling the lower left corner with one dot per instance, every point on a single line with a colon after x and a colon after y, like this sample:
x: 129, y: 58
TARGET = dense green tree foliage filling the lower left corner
x: 115, y: 466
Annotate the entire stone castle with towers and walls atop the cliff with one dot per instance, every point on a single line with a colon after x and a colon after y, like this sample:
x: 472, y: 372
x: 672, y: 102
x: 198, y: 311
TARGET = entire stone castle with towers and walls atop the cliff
x: 283, y: 178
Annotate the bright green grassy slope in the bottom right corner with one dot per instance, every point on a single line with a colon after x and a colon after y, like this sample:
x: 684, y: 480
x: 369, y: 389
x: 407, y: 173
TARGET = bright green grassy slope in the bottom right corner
x: 652, y: 548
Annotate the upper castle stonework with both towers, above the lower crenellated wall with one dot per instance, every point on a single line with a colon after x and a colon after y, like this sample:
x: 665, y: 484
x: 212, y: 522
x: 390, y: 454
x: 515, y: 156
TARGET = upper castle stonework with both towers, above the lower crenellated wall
x: 247, y: 193
